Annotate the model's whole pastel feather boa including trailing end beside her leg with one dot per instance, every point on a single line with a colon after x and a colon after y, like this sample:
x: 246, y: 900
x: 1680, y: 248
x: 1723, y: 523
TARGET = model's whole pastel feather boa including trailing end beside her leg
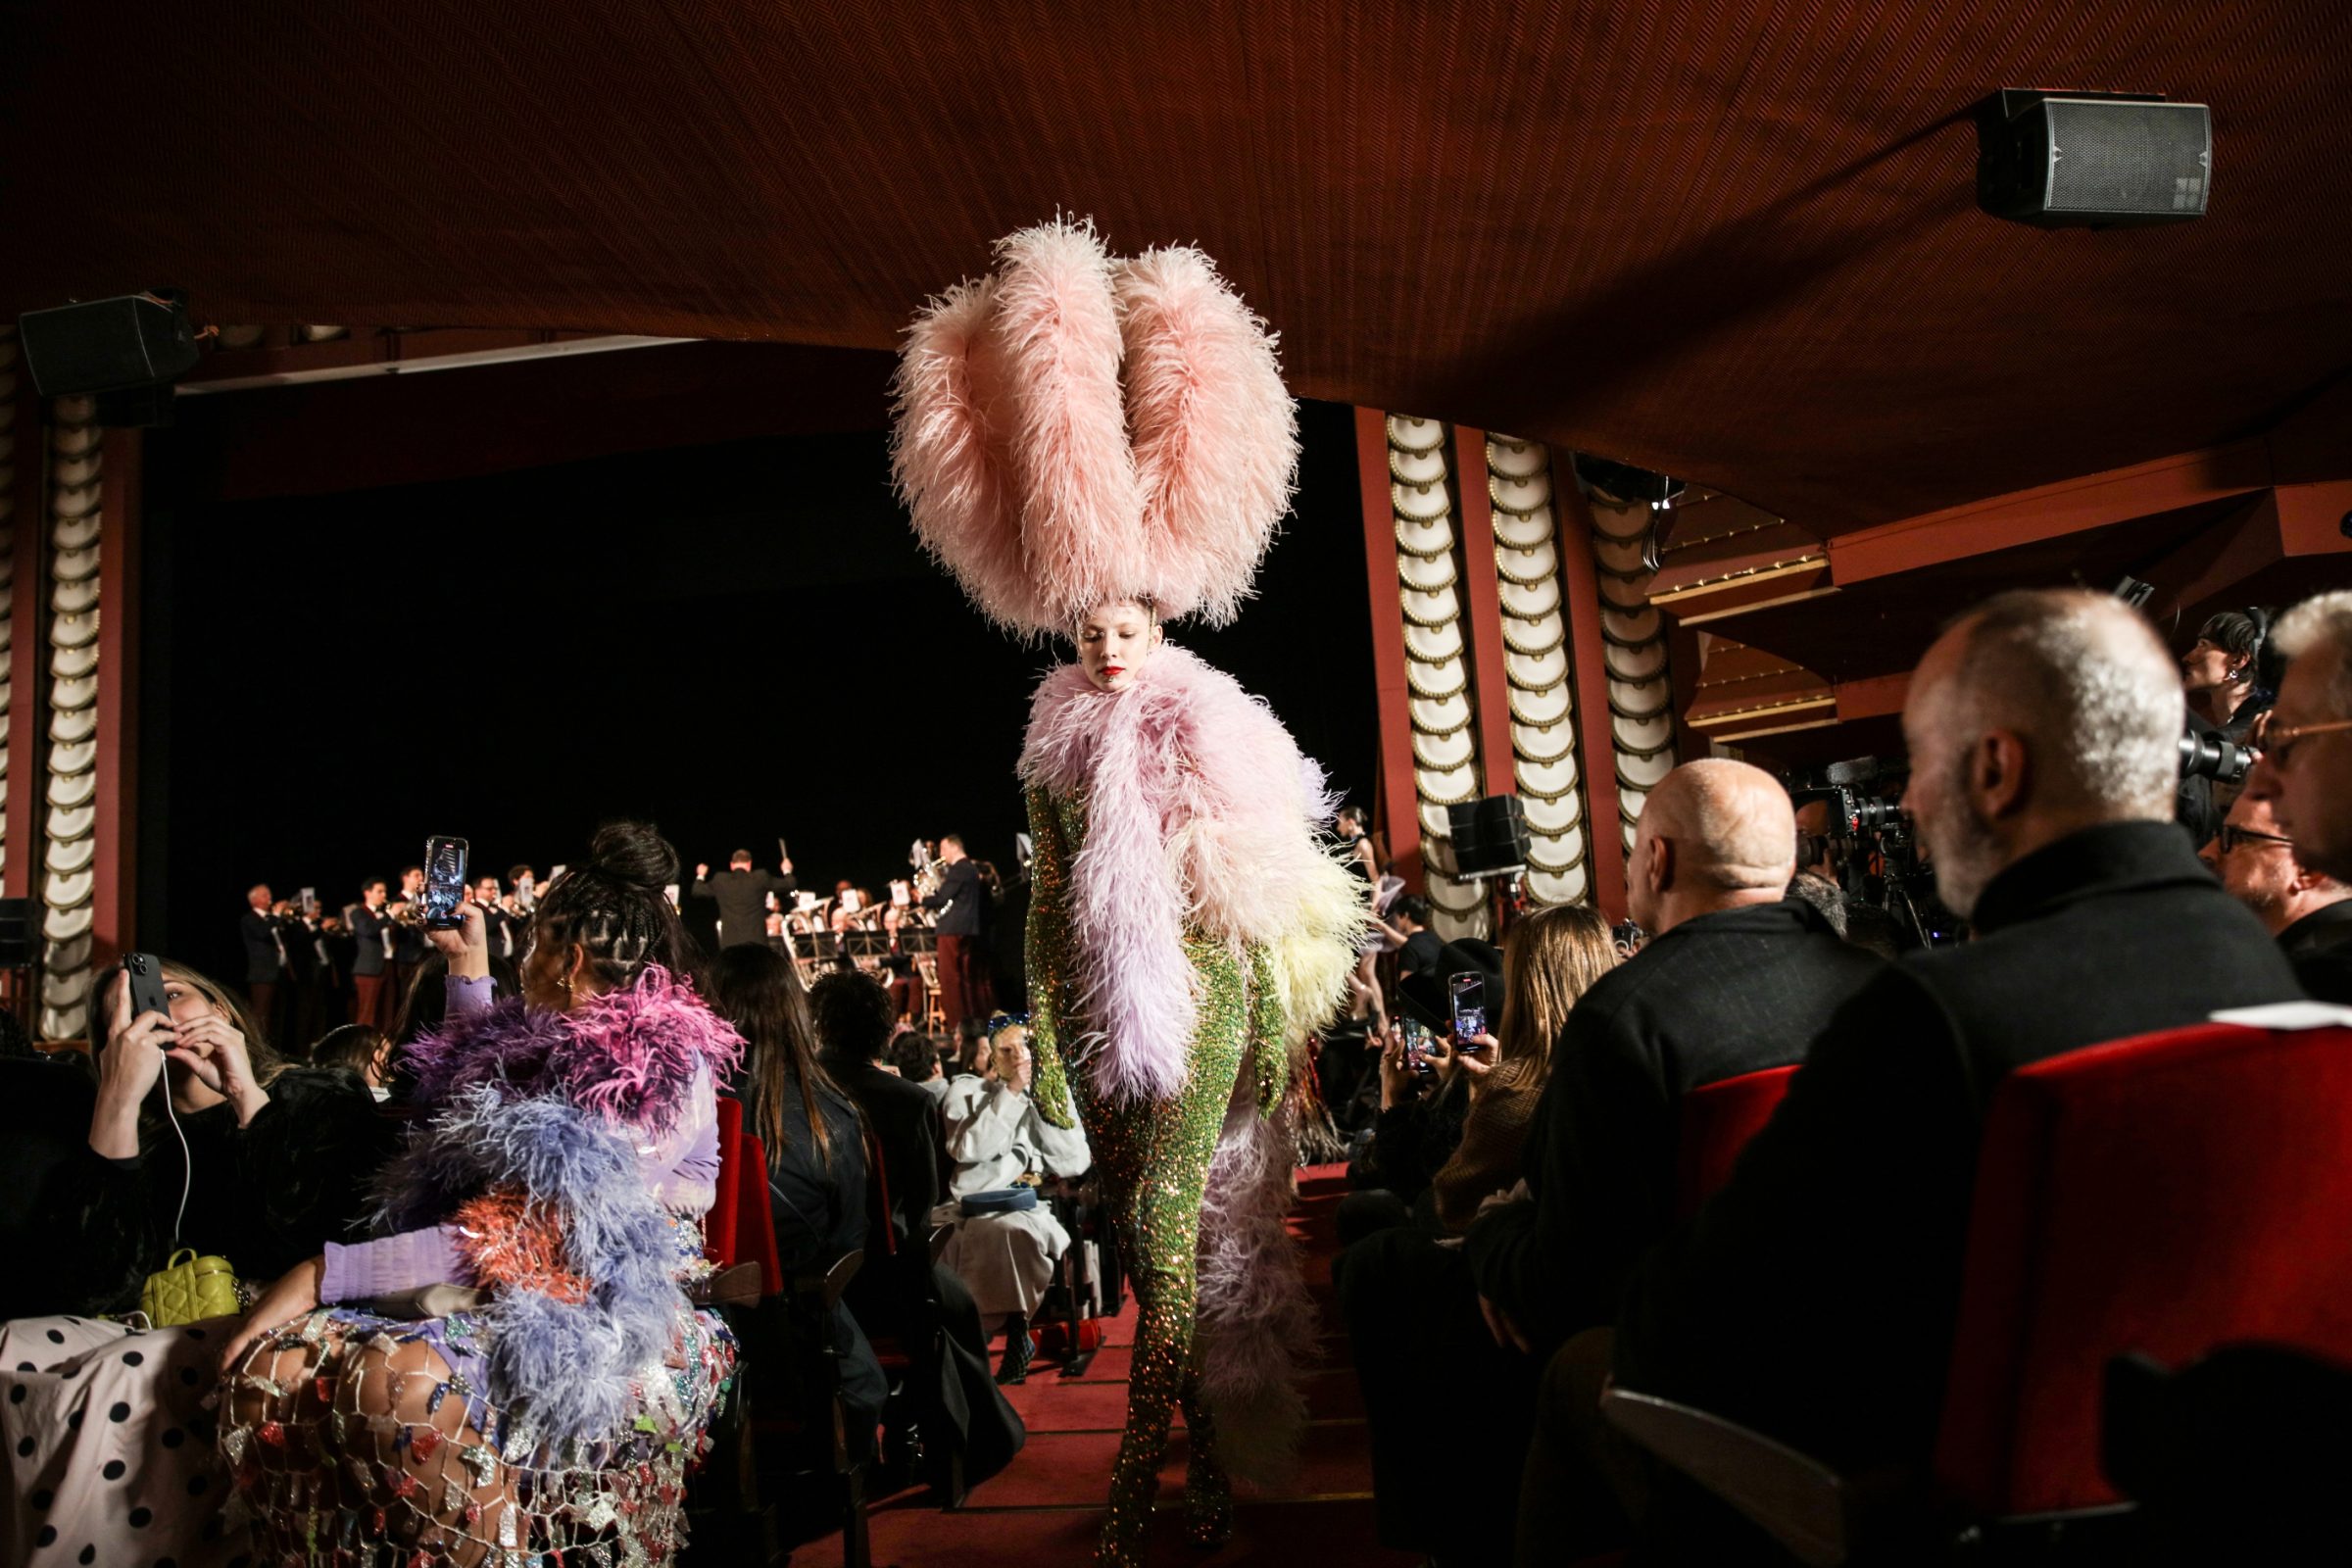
x: 1203, y: 819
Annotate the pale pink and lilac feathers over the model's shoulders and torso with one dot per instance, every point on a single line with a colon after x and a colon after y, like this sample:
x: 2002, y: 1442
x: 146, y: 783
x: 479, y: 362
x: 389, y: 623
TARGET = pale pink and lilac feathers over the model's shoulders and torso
x: 1201, y: 819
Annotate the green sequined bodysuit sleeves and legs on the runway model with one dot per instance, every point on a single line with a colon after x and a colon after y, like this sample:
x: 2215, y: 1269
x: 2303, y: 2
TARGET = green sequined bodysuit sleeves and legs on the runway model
x: 1154, y: 1160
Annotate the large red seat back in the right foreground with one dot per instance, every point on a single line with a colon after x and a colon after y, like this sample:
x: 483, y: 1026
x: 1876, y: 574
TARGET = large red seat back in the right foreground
x: 2167, y: 1193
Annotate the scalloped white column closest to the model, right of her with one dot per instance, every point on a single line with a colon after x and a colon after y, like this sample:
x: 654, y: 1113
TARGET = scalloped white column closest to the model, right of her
x: 1436, y: 659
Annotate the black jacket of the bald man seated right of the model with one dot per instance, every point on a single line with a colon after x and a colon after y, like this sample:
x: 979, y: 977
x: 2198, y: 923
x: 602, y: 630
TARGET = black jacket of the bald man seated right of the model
x: 1711, y: 1000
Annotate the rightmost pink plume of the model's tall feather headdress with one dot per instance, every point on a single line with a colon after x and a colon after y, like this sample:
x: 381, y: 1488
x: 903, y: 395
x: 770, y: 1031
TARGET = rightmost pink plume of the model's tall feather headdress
x: 1215, y: 431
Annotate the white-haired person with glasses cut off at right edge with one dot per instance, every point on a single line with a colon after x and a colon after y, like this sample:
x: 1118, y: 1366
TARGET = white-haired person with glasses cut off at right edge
x: 2306, y: 770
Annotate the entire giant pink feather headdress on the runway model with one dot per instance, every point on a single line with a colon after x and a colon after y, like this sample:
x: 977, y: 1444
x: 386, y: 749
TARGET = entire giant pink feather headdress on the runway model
x: 1081, y: 429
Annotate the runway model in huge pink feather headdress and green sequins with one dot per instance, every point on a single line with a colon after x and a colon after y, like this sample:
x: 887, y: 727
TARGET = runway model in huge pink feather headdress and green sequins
x: 1095, y: 445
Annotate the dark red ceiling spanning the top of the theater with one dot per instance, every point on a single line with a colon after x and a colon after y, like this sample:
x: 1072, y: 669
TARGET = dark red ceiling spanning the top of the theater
x: 1728, y: 241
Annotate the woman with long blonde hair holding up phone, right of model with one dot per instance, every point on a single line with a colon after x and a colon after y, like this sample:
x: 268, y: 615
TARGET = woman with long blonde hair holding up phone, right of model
x: 1549, y: 963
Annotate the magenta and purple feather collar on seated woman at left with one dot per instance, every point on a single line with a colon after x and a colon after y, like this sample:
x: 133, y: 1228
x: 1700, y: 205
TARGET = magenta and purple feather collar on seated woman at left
x: 627, y: 1054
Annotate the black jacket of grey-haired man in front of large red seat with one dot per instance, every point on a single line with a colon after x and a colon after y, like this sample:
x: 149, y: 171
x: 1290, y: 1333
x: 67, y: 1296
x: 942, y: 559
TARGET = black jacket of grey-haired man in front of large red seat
x: 1815, y: 1296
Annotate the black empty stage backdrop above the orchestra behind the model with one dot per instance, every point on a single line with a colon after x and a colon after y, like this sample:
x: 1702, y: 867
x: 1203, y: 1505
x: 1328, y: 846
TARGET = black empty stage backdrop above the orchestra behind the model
x: 735, y: 643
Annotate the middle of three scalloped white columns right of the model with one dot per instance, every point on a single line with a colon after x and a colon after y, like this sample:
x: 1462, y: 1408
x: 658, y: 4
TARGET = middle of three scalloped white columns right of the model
x: 1537, y: 662
